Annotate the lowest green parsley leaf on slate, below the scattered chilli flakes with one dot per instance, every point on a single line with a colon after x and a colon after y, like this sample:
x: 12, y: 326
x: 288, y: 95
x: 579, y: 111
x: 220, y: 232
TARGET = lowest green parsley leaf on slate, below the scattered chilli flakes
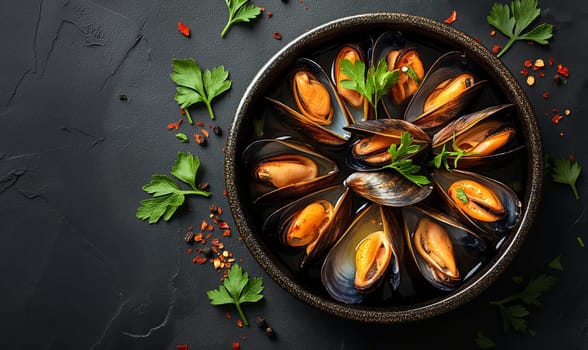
x: 236, y: 289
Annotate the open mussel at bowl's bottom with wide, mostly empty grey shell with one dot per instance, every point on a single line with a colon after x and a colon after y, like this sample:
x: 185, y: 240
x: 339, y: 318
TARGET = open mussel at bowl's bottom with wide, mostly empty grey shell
x: 374, y: 227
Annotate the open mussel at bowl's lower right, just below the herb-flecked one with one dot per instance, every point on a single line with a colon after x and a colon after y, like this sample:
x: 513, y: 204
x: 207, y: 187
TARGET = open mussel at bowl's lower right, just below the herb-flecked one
x: 445, y: 251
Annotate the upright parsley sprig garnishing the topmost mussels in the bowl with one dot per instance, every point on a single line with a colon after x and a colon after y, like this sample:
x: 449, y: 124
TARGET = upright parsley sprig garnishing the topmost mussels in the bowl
x: 371, y: 85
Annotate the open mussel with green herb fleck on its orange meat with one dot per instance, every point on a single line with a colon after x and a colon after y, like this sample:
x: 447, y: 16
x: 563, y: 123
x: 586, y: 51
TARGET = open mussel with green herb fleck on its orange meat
x: 484, y: 203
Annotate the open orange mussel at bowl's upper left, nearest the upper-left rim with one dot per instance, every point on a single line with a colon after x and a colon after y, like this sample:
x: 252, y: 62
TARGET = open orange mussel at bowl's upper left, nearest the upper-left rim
x: 314, y: 108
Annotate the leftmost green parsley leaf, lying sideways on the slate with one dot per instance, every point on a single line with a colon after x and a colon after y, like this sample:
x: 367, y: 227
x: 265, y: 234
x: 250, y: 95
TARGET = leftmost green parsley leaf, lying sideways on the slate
x: 167, y: 195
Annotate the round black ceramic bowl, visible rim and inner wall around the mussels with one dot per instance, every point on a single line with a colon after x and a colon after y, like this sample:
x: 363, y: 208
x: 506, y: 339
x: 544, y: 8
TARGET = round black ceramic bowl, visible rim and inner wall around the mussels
x: 440, y: 37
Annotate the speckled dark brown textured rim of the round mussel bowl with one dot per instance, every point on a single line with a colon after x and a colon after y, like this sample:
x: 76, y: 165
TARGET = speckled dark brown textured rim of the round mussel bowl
x: 436, y: 31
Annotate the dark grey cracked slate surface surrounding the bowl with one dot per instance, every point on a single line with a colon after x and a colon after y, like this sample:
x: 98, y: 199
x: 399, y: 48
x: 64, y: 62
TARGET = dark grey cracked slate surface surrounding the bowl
x: 81, y: 272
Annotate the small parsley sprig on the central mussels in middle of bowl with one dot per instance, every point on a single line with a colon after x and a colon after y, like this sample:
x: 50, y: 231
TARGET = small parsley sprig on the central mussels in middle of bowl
x: 403, y: 165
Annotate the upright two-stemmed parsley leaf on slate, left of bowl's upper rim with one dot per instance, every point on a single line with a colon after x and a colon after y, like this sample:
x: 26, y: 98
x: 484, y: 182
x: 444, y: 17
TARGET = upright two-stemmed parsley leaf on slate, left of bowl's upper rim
x: 195, y: 86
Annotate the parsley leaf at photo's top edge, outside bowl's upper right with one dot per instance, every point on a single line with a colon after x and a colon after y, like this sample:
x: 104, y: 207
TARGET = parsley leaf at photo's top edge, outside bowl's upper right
x: 524, y: 12
